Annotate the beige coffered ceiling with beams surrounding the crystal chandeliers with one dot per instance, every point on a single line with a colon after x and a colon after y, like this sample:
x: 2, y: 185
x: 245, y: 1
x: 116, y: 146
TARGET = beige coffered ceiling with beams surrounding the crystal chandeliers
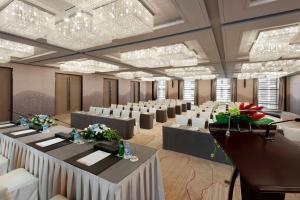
x: 222, y: 30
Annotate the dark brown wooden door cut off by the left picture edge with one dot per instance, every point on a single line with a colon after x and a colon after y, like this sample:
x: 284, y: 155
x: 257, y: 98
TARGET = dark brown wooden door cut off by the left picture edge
x: 6, y: 94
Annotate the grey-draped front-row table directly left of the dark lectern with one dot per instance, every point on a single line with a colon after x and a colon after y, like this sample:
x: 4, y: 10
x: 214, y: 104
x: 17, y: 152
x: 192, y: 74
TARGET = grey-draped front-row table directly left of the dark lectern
x: 188, y: 140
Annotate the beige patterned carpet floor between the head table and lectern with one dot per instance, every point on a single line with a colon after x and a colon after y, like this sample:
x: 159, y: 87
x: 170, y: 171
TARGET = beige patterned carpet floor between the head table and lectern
x: 187, y: 177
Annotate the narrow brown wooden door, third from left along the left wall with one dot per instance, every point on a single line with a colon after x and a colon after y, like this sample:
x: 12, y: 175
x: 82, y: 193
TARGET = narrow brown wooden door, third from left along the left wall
x: 110, y: 94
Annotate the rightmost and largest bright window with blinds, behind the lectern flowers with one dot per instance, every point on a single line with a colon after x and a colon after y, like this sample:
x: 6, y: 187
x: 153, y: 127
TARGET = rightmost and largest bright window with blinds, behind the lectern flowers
x: 268, y: 93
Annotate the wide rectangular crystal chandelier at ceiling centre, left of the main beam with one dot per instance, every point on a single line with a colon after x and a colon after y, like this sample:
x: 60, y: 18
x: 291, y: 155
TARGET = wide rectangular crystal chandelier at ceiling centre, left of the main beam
x: 171, y: 55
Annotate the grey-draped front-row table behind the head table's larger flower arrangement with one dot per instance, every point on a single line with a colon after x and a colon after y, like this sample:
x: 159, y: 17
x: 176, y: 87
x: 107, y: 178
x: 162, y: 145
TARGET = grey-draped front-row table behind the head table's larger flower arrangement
x: 125, y: 126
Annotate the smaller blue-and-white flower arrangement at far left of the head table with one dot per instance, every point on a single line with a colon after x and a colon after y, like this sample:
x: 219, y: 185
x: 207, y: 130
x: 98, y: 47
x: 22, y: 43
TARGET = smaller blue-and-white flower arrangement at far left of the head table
x: 38, y: 122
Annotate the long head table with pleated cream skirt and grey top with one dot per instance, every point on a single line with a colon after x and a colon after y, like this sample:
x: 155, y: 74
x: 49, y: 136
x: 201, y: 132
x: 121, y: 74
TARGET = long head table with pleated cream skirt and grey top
x: 54, y: 166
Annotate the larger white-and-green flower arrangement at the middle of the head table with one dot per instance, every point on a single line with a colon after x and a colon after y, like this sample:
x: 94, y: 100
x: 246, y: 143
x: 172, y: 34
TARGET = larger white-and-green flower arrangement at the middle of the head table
x: 100, y: 132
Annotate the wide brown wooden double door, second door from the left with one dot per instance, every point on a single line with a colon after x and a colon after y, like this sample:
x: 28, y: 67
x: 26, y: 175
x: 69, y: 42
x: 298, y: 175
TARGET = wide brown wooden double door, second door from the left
x: 68, y: 93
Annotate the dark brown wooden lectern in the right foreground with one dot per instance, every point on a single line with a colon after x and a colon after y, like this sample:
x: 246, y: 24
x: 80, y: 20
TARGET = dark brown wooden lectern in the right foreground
x: 268, y: 169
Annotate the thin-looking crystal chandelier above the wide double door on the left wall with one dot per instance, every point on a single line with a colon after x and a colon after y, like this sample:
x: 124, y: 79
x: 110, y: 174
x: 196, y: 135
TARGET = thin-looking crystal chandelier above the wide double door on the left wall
x: 87, y: 66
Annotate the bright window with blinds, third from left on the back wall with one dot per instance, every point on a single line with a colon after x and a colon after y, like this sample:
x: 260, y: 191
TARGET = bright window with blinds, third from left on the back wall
x: 223, y: 90
